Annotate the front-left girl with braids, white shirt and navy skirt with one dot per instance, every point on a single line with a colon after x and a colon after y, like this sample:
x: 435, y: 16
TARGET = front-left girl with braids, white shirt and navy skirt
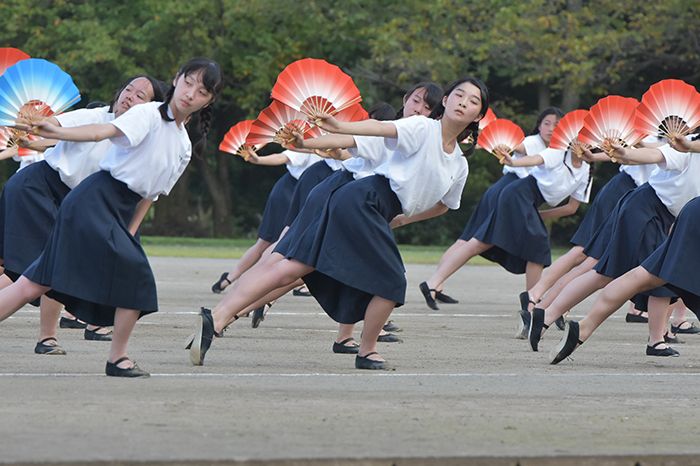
x: 92, y: 263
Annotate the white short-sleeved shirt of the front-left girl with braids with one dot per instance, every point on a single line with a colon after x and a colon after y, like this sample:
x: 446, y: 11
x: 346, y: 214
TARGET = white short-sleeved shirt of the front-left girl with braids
x: 153, y: 153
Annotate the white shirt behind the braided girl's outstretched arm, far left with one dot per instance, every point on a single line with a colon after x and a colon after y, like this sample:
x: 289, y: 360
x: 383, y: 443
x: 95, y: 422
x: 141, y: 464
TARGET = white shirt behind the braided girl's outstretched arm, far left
x: 75, y: 161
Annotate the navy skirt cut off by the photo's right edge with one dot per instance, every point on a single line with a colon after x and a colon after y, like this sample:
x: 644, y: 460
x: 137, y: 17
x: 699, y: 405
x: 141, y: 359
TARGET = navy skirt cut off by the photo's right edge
x: 677, y: 259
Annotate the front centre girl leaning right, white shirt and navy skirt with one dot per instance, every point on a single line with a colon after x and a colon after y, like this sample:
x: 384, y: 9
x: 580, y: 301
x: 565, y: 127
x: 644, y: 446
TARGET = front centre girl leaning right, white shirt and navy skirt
x: 351, y: 262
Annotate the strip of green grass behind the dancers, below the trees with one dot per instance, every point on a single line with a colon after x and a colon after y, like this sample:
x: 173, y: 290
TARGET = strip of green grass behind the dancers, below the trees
x: 234, y: 248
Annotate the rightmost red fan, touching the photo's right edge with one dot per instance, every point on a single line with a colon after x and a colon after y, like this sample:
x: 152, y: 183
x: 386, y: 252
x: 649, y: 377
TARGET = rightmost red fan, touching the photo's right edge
x: 670, y: 108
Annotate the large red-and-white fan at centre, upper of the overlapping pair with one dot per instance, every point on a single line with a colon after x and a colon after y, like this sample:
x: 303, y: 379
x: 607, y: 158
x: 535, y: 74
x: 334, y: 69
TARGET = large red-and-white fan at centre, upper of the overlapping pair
x: 315, y: 86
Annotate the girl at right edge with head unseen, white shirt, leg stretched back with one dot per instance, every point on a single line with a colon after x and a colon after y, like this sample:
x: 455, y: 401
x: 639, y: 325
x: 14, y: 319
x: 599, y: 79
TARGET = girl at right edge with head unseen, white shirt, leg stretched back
x: 639, y: 225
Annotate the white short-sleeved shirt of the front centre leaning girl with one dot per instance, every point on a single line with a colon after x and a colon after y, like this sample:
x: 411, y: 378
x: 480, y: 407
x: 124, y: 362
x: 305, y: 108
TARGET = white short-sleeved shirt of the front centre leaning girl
x: 419, y: 171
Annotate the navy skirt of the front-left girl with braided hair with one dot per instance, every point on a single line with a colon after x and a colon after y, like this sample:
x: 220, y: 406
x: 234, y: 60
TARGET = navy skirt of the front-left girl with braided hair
x: 91, y: 262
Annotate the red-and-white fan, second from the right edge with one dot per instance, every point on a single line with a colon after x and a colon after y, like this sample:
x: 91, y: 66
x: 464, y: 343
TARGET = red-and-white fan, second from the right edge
x: 611, y: 121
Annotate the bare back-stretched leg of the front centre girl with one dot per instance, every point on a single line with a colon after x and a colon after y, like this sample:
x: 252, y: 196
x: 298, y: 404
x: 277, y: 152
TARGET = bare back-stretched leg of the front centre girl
x: 254, y: 285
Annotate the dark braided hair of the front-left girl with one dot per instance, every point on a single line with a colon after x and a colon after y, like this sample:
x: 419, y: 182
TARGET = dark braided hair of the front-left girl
x: 213, y: 81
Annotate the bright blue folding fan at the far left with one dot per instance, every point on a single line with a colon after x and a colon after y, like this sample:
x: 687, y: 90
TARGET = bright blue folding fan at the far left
x: 44, y: 86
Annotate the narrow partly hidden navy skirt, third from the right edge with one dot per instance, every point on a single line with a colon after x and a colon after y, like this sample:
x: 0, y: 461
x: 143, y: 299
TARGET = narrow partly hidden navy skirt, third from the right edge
x: 601, y: 207
